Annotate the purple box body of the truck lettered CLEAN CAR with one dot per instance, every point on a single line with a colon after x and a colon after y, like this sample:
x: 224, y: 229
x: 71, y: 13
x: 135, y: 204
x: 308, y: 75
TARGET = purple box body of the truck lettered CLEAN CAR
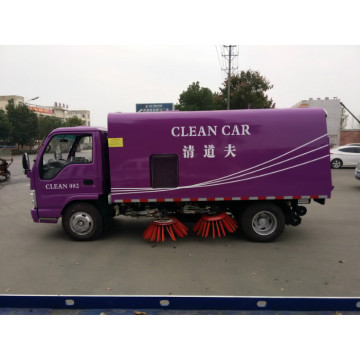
x: 222, y: 155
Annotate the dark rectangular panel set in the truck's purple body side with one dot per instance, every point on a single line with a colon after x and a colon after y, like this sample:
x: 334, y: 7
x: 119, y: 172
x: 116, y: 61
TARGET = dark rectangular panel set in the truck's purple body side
x: 164, y: 170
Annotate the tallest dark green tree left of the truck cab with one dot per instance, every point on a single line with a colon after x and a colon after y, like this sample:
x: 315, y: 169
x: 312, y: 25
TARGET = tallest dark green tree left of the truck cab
x: 24, y: 124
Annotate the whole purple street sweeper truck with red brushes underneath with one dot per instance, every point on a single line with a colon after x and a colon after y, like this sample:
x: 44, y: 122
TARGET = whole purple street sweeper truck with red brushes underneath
x: 247, y: 169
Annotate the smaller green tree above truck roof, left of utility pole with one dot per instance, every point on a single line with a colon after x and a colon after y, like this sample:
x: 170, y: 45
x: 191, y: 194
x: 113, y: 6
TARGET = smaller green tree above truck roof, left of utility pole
x: 196, y: 98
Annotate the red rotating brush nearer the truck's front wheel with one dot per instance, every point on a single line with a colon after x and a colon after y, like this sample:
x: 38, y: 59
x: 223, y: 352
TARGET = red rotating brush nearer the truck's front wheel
x: 156, y: 230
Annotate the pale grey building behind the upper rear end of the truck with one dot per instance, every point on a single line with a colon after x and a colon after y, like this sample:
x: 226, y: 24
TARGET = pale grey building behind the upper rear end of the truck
x: 334, y: 111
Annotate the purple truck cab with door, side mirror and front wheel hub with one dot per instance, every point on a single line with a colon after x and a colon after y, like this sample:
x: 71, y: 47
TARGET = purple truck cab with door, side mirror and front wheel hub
x: 71, y: 167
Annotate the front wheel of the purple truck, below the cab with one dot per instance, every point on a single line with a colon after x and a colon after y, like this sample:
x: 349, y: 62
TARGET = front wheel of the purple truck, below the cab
x: 82, y: 222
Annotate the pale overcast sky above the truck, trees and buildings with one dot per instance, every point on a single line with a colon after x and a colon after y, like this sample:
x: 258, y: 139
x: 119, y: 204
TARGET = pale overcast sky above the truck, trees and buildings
x: 106, y: 79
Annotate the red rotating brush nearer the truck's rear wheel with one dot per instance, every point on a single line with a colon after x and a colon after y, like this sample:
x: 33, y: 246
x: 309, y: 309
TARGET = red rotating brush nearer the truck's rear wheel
x: 217, y: 223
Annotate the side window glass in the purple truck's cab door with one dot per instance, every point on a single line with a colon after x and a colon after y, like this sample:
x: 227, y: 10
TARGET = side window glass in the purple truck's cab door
x: 64, y: 150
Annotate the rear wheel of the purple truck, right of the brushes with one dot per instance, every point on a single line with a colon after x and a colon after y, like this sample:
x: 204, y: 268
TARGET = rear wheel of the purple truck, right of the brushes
x: 262, y: 222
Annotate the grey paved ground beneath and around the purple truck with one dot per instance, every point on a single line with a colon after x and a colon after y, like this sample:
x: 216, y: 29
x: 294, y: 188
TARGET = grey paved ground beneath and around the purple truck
x: 321, y: 257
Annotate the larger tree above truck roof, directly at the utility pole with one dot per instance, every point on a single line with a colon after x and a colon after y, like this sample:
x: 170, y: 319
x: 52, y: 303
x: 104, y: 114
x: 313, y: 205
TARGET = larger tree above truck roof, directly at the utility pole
x: 247, y: 90
